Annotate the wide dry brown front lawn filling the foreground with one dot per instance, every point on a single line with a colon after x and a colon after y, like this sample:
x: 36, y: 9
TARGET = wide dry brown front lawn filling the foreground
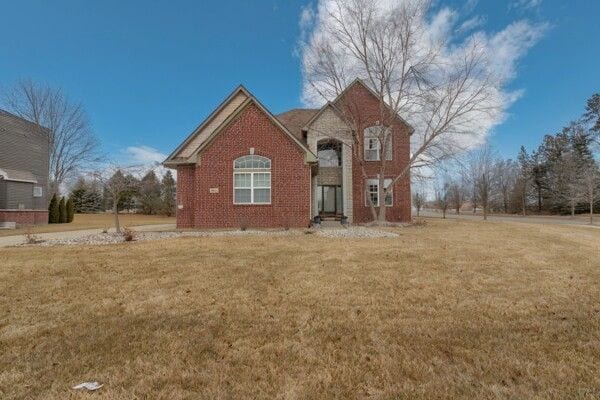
x: 451, y: 310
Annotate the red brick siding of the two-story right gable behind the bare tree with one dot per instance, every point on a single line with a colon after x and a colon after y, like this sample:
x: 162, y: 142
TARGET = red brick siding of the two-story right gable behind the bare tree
x: 358, y: 98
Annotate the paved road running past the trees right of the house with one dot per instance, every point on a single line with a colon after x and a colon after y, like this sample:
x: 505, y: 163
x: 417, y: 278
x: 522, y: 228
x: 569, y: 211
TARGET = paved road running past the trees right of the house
x: 530, y: 219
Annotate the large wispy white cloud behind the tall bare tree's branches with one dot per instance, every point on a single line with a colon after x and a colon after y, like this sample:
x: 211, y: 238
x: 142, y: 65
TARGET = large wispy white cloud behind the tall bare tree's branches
x: 452, y: 31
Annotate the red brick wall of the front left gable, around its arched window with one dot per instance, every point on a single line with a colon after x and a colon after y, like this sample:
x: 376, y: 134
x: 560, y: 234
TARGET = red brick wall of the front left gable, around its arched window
x: 290, y: 178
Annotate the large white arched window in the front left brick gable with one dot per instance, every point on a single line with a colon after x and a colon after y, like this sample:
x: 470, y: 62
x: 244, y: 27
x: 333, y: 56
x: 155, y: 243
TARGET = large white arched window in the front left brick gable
x: 252, y: 180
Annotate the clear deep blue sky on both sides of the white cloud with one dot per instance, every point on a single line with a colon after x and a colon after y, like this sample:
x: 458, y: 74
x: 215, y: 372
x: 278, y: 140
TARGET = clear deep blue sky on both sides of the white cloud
x: 149, y: 72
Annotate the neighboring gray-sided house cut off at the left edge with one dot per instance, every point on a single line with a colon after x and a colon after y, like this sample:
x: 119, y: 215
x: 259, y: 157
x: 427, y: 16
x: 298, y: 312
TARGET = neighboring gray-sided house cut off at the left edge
x: 24, y: 164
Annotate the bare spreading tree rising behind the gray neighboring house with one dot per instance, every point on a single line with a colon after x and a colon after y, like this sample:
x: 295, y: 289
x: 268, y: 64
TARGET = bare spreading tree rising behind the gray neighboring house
x: 72, y: 142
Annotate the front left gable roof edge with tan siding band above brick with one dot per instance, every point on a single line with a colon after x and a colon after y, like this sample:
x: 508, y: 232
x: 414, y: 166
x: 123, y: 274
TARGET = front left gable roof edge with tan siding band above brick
x: 237, y: 101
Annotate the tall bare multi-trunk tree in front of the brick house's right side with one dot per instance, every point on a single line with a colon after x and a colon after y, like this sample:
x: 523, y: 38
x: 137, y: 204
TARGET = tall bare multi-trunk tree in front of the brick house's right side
x: 445, y: 96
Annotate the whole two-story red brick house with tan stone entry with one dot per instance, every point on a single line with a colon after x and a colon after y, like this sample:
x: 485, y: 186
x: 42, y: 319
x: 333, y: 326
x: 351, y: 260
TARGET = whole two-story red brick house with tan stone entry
x: 243, y: 166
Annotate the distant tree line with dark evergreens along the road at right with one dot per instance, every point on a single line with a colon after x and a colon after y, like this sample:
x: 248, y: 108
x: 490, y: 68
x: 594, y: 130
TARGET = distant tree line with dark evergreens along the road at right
x: 561, y: 176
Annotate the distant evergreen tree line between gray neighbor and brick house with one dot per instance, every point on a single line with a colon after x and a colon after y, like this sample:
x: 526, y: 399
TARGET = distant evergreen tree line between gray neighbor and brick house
x: 148, y: 195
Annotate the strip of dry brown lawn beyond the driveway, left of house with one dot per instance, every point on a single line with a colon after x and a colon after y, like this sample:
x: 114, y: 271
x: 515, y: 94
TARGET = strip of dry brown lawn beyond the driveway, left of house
x: 93, y: 221
